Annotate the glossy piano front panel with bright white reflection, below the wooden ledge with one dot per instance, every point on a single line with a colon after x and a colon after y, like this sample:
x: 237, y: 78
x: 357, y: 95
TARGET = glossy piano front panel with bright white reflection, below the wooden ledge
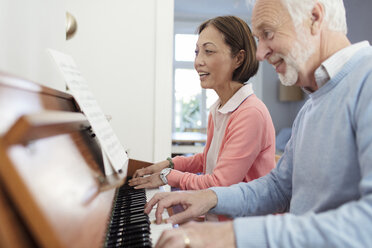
x: 57, y: 192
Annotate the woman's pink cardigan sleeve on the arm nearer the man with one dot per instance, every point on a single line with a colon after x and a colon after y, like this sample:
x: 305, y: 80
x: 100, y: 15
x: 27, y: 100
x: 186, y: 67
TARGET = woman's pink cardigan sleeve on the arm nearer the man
x: 243, y: 141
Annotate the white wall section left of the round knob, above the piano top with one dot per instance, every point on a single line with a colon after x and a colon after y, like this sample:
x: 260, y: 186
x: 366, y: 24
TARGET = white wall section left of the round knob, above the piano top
x: 27, y: 28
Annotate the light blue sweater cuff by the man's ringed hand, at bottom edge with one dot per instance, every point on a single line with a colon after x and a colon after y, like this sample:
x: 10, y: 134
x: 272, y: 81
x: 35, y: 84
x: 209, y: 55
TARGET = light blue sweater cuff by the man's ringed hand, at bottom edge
x: 250, y: 232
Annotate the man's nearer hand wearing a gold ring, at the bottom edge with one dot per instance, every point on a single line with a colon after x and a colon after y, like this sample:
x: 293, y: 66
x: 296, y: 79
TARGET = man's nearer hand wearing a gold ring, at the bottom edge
x: 207, y: 234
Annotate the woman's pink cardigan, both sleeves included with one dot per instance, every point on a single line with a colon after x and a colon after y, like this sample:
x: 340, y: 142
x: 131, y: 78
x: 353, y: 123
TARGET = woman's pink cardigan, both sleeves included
x: 247, y: 151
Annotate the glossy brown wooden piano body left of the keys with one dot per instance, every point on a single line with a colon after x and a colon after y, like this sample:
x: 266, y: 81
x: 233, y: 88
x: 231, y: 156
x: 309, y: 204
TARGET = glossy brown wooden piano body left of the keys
x: 53, y: 192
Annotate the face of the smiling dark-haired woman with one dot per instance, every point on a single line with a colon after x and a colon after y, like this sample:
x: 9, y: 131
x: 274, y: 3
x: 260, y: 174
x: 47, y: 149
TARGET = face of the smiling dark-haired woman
x: 213, y: 60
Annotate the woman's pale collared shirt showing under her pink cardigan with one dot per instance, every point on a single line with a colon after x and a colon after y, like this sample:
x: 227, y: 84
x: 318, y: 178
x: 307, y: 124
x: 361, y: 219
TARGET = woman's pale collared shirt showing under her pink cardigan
x: 220, y: 118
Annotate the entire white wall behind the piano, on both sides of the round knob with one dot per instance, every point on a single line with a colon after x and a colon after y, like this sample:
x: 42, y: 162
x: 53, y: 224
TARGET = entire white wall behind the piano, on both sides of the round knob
x: 124, y: 49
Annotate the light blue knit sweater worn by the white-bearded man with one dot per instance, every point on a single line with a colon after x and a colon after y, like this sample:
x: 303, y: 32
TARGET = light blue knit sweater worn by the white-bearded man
x: 324, y: 178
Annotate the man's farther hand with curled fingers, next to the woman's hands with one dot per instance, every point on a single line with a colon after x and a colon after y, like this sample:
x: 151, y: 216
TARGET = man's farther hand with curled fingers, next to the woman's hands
x: 195, y: 203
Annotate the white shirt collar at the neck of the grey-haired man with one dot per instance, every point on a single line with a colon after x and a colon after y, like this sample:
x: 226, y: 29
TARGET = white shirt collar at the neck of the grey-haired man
x: 331, y: 66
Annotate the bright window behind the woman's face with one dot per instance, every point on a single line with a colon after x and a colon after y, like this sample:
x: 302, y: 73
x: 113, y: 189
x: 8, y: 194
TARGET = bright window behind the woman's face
x: 191, y: 102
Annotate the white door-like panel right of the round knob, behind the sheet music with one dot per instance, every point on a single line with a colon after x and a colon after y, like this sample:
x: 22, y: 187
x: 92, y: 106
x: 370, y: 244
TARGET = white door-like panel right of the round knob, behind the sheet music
x: 124, y: 51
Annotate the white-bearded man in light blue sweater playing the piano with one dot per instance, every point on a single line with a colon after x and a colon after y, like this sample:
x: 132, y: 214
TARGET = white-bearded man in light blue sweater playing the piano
x: 323, y: 182
